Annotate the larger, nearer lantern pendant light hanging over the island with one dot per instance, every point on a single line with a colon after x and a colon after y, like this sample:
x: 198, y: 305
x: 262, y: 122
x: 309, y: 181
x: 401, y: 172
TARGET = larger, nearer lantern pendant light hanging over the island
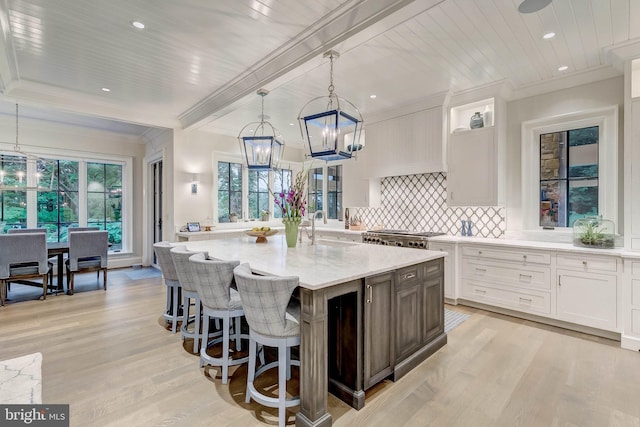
x: 331, y: 126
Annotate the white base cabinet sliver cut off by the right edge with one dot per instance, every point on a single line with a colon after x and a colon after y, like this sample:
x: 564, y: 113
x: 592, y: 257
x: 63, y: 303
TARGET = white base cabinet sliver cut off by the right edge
x: 631, y: 306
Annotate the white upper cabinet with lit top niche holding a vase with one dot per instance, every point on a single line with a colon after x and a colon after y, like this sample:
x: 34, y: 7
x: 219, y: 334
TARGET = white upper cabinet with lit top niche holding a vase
x: 475, y: 156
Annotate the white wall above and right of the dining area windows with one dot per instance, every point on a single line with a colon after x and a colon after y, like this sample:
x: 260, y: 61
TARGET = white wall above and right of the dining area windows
x: 41, y: 137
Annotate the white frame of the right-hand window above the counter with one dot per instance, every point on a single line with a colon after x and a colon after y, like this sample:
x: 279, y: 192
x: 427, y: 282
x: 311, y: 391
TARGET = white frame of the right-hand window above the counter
x: 606, y: 119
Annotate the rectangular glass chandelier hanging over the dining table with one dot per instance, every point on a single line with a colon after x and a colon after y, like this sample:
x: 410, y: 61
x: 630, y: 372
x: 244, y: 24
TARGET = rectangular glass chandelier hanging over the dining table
x: 20, y: 171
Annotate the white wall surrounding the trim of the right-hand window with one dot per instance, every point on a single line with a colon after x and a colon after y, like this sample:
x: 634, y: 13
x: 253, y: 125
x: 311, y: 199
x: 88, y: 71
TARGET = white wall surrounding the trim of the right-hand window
x: 589, y: 96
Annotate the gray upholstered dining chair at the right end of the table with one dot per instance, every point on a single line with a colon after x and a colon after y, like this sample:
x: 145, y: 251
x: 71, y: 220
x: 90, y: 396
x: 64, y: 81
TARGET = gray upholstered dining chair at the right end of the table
x: 88, y: 251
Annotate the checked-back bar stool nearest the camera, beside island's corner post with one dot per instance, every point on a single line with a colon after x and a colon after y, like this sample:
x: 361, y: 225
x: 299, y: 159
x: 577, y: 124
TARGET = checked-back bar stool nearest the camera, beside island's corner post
x: 265, y: 300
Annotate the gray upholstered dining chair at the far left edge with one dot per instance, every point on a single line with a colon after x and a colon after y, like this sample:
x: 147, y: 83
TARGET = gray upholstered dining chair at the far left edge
x: 23, y: 256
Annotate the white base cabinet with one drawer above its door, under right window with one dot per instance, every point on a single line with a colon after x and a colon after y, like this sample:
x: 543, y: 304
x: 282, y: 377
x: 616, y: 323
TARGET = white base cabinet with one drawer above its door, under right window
x: 587, y: 291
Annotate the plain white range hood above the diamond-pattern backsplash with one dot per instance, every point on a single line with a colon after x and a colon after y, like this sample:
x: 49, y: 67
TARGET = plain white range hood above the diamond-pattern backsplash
x: 406, y: 145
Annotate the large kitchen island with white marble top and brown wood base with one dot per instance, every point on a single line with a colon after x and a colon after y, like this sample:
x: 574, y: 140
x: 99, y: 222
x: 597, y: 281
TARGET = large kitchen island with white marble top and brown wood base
x: 368, y: 312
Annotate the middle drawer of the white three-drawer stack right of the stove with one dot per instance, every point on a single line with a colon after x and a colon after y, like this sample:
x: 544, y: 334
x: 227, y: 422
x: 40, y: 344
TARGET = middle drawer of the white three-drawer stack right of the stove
x: 512, y: 275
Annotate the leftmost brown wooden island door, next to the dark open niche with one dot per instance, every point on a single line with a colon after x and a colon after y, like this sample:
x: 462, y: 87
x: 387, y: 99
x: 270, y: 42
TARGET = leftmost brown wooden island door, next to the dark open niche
x: 378, y: 328
